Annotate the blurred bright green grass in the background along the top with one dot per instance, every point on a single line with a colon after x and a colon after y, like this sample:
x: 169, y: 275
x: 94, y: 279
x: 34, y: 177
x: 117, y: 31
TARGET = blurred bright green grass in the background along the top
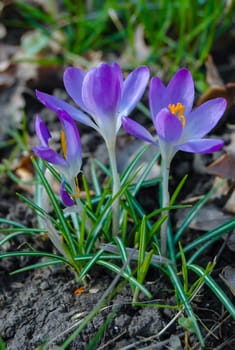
x: 164, y: 34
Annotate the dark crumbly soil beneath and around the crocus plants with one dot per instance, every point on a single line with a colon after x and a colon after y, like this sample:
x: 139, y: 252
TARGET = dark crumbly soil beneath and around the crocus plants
x: 43, y: 306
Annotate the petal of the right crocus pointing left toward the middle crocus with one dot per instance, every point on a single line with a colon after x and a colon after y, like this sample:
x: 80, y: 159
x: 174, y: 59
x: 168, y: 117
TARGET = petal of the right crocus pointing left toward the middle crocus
x: 137, y: 130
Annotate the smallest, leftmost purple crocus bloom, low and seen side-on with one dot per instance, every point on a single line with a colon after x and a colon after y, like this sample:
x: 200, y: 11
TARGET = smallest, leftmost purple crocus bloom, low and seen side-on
x: 69, y: 163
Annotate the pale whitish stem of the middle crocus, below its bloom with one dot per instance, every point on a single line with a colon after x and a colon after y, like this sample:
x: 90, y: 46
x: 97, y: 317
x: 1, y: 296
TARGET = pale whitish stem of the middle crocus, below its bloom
x: 116, y: 186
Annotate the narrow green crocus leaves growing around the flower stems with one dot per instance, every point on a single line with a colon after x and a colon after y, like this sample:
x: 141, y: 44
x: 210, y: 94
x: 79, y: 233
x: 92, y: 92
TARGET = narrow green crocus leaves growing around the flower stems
x: 84, y: 240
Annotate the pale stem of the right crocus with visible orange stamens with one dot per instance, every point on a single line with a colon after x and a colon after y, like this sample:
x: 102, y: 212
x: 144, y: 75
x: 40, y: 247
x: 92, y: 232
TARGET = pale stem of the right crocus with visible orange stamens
x: 165, y: 168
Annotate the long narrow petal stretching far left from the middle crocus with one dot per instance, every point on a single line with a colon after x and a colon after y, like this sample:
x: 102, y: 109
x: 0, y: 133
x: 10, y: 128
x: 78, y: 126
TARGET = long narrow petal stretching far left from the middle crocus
x: 55, y: 104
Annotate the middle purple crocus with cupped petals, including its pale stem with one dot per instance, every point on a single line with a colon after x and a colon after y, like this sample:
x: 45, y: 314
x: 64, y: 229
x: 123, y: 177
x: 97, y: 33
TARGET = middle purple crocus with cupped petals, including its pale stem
x: 104, y: 97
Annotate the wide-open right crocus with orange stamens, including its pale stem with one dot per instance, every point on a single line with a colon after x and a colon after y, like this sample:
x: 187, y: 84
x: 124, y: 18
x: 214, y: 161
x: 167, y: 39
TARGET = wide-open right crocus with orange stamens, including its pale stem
x: 178, y: 126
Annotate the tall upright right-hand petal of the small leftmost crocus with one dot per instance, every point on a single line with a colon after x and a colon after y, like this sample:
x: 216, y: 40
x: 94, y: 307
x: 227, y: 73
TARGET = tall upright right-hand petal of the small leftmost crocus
x: 73, y: 143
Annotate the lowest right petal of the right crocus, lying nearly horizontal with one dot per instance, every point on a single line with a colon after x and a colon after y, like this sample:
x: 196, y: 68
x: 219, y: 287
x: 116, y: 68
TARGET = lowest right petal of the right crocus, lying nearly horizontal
x: 202, y: 146
